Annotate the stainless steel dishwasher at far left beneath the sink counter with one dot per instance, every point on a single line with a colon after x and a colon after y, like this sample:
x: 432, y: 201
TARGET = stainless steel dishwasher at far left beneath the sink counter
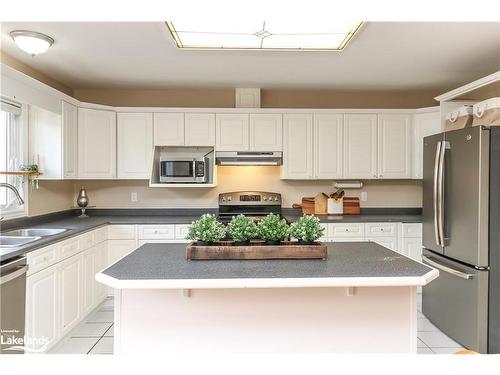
x: 12, y: 304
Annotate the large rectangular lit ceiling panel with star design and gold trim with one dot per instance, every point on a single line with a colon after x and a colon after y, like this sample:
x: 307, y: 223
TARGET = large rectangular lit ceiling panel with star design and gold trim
x: 262, y: 35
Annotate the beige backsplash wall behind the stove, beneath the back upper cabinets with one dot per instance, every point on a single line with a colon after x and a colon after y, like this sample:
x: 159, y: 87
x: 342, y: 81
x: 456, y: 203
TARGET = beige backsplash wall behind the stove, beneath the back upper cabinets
x: 116, y: 194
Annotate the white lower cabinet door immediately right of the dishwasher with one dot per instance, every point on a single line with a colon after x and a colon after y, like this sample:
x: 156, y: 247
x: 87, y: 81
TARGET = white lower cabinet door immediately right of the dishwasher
x: 42, y: 308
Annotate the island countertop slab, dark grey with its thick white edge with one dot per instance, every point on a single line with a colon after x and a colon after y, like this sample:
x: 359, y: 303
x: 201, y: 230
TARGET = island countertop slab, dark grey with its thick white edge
x: 349, y: 264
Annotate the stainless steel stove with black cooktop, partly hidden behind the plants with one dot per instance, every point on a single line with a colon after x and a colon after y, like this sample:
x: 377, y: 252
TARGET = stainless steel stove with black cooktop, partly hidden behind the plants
x: 254, y: 204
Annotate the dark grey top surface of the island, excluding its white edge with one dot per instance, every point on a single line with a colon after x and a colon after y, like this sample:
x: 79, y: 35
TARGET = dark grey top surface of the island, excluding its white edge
x: 160, y: 262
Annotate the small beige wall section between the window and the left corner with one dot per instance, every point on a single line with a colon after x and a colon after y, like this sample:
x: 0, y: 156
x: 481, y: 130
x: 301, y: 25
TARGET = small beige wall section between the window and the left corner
x: 52, y: 196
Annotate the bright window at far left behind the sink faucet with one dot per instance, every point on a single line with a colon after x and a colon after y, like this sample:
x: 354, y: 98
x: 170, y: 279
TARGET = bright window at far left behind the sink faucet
x: 13, y: 149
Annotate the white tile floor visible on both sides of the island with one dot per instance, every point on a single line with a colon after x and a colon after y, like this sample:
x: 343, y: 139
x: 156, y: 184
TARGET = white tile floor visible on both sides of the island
x: 95, y: 335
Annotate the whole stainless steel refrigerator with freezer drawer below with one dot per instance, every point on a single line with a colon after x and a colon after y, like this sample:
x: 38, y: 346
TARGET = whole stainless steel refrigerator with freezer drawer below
x: 461, y: 235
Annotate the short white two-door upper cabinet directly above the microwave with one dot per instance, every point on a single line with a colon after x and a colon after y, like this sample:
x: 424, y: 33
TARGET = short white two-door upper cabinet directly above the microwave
x: 179, y: 129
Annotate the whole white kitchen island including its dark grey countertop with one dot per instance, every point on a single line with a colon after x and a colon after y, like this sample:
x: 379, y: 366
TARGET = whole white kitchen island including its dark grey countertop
x: 363, y: 295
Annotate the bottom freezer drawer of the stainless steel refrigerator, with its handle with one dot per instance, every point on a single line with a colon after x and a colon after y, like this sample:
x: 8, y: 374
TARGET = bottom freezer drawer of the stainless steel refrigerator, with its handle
x: 457, y: 301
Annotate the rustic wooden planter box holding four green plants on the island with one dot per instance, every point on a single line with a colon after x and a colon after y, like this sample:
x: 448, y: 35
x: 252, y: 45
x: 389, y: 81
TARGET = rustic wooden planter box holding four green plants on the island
x: 284, y: 251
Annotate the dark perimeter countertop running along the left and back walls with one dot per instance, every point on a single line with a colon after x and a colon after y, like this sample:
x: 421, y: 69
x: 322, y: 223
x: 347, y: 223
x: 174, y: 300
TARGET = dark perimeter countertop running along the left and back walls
x: 99, y: 217
